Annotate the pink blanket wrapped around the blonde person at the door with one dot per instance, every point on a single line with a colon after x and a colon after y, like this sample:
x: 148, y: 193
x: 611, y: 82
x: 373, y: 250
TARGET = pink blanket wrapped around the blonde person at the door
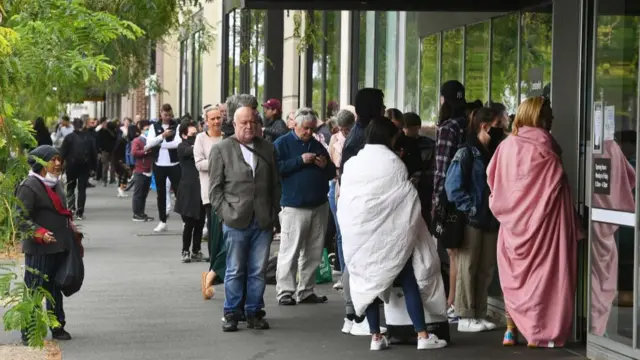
x: 531, y: 198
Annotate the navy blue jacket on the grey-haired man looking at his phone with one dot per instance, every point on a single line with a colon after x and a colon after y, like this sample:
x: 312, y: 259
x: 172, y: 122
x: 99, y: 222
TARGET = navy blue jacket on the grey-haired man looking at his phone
x: 303, y: 185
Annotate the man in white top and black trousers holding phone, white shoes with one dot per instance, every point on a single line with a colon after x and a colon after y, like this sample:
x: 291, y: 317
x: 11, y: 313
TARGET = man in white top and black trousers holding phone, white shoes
x: 163, y: 141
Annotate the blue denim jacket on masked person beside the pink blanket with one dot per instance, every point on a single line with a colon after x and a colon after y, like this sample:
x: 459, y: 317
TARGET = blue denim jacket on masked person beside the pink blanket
x: 470, y: 191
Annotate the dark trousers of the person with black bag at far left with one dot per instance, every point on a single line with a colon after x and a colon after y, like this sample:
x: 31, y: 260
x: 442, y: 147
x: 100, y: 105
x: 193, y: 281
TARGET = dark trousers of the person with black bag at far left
x: 46, y: 266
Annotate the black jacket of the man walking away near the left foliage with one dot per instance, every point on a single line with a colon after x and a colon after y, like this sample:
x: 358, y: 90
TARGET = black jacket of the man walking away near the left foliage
x: 79, y: 150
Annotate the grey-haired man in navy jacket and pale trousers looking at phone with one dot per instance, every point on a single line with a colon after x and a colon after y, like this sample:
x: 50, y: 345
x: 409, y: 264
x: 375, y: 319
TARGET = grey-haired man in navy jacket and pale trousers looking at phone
x: 305, y: 170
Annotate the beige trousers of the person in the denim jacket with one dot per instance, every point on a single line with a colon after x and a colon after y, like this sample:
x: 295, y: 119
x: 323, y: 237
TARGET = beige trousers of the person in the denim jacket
x: 476, y: 266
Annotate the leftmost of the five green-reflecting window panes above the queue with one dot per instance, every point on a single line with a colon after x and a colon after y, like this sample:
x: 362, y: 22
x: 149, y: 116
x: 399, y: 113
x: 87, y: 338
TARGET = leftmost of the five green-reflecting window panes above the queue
x: 429, y: 78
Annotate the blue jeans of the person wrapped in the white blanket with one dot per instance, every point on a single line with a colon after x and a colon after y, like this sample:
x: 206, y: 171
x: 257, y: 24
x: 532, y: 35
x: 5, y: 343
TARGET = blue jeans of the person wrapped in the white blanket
x: 412, y: 298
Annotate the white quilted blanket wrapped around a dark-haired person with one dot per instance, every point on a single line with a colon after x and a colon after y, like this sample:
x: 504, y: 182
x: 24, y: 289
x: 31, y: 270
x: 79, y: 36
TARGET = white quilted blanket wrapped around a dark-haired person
x: 380, y: 219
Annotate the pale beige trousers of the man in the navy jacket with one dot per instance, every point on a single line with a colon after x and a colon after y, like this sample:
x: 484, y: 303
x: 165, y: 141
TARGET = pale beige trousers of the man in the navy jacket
x: 301, y: 244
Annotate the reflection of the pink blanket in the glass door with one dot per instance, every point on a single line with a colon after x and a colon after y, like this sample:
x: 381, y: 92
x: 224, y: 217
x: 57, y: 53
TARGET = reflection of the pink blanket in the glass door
x: 604, y: 251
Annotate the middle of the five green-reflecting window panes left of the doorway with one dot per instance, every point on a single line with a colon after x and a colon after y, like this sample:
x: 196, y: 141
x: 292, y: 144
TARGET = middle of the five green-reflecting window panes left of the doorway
x: 477, y: 62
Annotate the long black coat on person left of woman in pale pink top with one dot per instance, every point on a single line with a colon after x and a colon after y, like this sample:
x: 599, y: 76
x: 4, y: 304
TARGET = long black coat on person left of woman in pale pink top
x: 188, y: 200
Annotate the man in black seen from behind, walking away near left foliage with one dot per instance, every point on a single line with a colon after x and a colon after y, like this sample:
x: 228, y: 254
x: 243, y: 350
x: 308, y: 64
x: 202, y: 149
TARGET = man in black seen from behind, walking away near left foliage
x: 79, y: 153
